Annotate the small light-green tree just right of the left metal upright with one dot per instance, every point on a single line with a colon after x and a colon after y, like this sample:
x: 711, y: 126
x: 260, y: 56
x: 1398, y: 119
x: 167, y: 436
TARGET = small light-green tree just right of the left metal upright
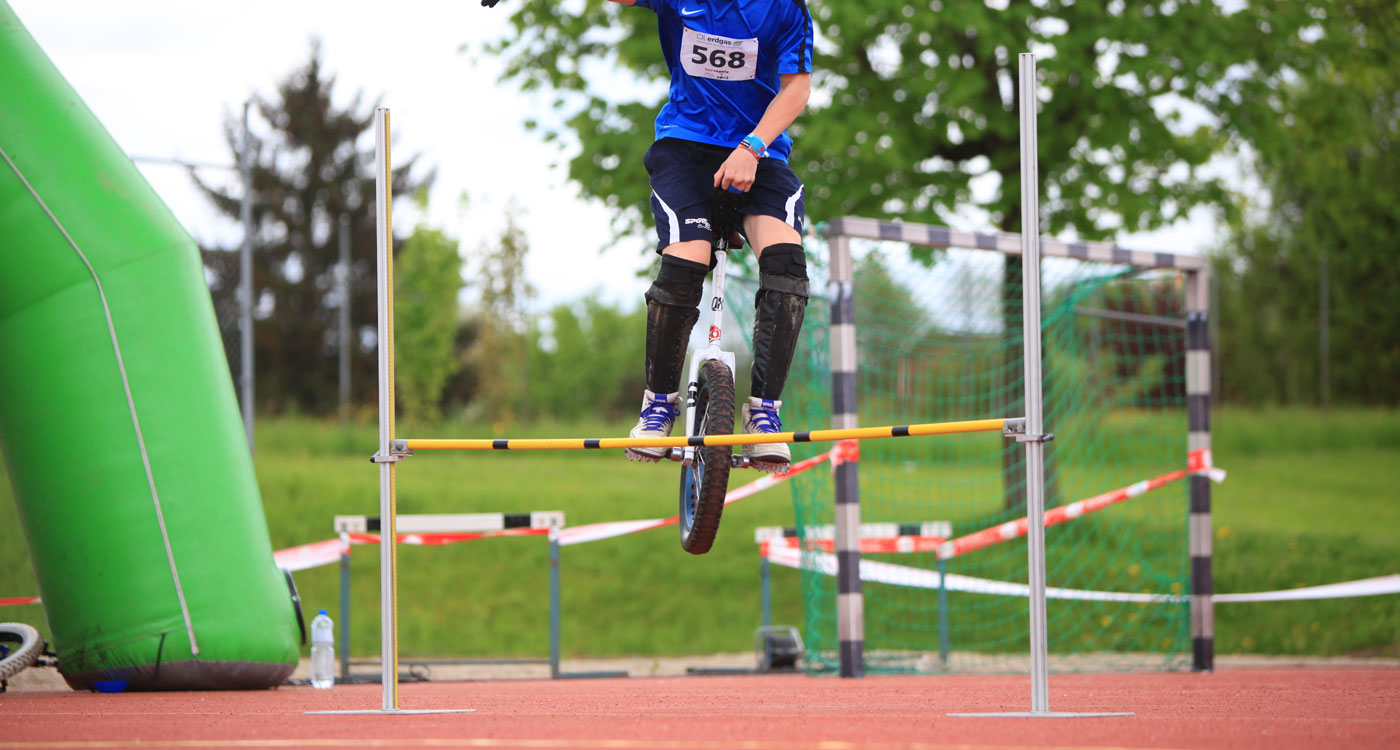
x: 428, y: 281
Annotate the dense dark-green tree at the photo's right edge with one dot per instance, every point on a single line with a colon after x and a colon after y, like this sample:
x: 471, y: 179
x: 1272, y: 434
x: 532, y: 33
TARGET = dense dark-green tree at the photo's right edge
x: 1326, y: 236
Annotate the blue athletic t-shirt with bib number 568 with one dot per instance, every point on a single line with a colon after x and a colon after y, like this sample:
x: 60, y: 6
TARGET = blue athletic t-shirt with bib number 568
x: 726, y: 58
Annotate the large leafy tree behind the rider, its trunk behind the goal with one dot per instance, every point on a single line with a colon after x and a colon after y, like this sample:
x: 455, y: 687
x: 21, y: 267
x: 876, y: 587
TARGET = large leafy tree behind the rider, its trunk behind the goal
x: 915, y: 110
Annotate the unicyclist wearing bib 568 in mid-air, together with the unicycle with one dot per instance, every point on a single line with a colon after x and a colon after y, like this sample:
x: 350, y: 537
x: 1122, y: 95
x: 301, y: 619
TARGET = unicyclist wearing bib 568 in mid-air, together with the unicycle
x: 741, y: 73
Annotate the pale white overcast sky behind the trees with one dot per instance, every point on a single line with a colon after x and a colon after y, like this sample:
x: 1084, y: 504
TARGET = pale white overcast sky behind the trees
x: 163, y: 75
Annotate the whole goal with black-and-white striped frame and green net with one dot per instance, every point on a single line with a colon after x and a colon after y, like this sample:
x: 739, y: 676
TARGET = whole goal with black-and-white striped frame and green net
x: 1126, y: 394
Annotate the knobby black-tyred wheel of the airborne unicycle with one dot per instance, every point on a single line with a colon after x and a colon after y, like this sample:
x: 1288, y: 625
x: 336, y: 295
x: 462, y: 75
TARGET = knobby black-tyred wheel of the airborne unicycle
x: 705, y: 483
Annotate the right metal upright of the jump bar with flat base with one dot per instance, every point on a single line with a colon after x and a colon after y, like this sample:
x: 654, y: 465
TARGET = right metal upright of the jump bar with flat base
x: 1035, y: 436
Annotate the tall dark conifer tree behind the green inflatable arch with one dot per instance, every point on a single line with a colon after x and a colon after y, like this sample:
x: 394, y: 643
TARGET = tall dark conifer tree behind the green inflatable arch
x: 309, y: 171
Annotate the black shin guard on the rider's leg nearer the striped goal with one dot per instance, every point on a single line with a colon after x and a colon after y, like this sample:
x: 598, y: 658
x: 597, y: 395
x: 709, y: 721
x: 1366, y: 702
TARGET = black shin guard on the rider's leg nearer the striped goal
x: 779, y: 309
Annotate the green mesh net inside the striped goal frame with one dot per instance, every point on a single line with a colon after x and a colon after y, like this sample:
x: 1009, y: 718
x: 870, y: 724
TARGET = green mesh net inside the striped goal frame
x: 940, y: 339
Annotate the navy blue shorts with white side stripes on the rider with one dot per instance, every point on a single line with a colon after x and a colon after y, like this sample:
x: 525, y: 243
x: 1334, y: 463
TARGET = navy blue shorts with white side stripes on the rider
x: 682, y: 185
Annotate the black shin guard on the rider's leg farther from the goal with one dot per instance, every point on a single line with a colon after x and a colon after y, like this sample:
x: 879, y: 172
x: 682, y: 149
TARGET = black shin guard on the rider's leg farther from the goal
x: 671, y: 313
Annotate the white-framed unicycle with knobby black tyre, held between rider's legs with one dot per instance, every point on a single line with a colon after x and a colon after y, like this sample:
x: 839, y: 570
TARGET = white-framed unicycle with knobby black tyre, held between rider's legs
x: 705, y: 475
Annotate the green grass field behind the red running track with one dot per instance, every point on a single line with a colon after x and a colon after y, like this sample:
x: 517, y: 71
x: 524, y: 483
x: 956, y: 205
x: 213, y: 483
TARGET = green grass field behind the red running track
x: 1311, y: 500
